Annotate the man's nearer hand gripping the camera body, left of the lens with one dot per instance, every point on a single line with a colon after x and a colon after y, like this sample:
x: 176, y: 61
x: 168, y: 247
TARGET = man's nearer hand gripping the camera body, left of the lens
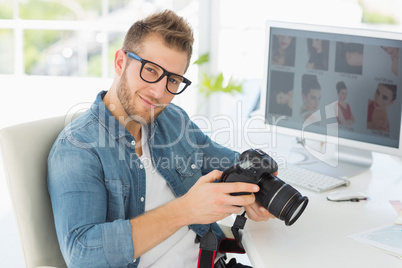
x: 208, y: 202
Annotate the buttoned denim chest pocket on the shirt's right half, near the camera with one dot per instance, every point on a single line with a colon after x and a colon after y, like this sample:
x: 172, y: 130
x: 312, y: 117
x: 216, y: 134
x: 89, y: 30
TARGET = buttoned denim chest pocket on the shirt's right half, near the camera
x: 189, y: 166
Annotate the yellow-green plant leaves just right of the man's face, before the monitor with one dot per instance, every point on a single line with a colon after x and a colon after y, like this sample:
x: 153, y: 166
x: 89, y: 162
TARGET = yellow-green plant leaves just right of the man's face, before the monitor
x: 212, y: 83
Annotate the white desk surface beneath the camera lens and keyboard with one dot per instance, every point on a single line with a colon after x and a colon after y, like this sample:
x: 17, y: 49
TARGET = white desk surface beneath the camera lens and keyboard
x: 319, y: 238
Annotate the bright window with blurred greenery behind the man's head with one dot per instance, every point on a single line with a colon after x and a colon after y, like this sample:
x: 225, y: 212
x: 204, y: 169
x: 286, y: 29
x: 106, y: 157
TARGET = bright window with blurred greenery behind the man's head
x: 75, y: 38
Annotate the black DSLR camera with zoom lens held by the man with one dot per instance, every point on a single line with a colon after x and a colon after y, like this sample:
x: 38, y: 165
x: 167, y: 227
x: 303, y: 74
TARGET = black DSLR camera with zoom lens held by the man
x: 279, y: 198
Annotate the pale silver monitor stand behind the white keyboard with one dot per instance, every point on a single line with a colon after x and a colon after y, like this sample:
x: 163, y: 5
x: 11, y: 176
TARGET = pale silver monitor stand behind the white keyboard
x: 333, y: 160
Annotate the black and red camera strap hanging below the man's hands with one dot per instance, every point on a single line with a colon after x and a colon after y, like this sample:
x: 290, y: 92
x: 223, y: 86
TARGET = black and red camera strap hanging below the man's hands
x: 209, y: 244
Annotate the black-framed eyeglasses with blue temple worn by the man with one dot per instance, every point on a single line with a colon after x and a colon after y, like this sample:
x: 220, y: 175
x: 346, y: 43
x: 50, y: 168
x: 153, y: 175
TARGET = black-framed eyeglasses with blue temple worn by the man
x: 152, y: 73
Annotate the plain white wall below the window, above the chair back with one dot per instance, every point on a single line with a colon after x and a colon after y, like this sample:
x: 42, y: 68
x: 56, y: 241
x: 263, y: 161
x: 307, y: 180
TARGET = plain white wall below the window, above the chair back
x: 27, y: 98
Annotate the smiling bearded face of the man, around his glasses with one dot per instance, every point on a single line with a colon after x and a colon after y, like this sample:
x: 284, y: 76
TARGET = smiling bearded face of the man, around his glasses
x: 143, y: 101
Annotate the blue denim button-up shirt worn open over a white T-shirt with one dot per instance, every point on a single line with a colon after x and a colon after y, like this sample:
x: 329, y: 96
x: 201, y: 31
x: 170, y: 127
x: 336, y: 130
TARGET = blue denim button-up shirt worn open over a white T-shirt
x: 97, y: 182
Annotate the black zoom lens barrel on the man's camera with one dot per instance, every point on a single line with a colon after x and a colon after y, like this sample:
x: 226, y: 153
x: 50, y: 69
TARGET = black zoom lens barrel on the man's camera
x: 281, y: 199
